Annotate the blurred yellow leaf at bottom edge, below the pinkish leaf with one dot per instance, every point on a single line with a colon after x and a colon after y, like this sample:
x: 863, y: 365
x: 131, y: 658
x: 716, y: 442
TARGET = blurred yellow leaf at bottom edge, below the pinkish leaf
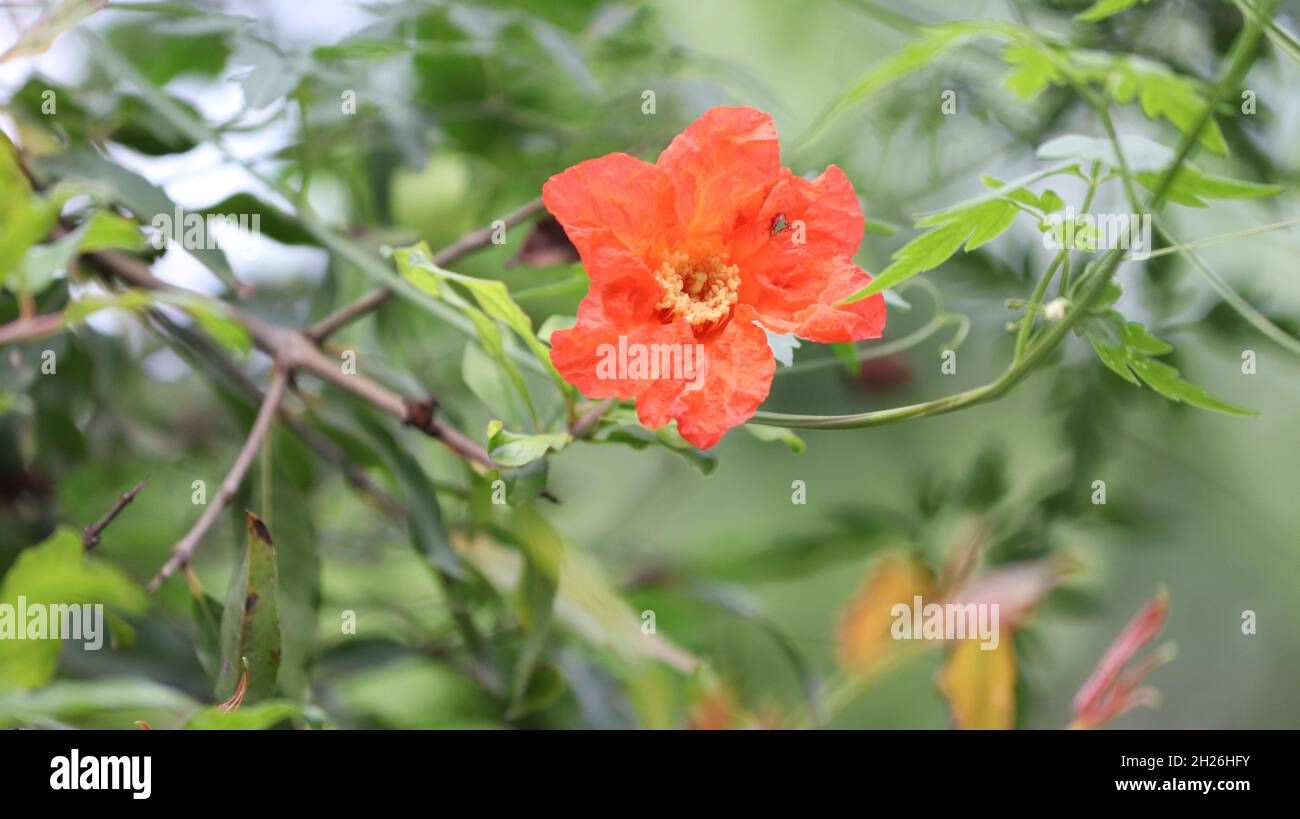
x: 981, y: 686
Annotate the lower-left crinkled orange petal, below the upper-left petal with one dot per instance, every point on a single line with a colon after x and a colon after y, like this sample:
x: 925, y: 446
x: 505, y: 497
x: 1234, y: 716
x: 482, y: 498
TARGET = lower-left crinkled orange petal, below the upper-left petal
x: 619, y: 309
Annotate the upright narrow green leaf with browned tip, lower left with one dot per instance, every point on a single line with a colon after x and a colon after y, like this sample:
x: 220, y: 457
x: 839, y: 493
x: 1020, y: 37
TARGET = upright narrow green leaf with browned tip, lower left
x: 250, y: 626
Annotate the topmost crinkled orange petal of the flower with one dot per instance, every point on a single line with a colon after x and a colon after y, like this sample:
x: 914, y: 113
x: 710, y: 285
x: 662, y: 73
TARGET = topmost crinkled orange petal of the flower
x: 722, y: 167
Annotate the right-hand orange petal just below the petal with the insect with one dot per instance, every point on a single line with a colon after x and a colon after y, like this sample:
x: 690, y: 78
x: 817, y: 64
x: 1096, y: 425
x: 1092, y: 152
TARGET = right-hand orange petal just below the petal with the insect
x: 803, y: 302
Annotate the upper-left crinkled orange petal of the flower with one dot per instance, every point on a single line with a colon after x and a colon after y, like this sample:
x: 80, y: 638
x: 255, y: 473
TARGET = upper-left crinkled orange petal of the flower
x: 617, y: 210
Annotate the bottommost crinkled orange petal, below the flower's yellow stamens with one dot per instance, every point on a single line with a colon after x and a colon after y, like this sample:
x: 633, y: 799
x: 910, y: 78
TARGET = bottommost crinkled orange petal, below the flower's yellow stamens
x: 738, y: 376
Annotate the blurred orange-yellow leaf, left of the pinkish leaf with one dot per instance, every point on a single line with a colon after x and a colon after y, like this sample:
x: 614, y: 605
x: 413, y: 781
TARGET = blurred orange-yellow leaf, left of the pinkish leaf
x: 865, y: 640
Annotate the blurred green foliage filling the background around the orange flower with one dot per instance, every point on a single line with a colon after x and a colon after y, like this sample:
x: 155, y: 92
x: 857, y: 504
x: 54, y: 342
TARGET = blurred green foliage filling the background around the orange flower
x: 640, y: 583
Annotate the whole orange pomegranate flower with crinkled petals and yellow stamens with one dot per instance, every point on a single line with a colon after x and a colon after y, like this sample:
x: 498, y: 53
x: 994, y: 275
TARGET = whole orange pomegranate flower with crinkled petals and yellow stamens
x: 691, y: 258
